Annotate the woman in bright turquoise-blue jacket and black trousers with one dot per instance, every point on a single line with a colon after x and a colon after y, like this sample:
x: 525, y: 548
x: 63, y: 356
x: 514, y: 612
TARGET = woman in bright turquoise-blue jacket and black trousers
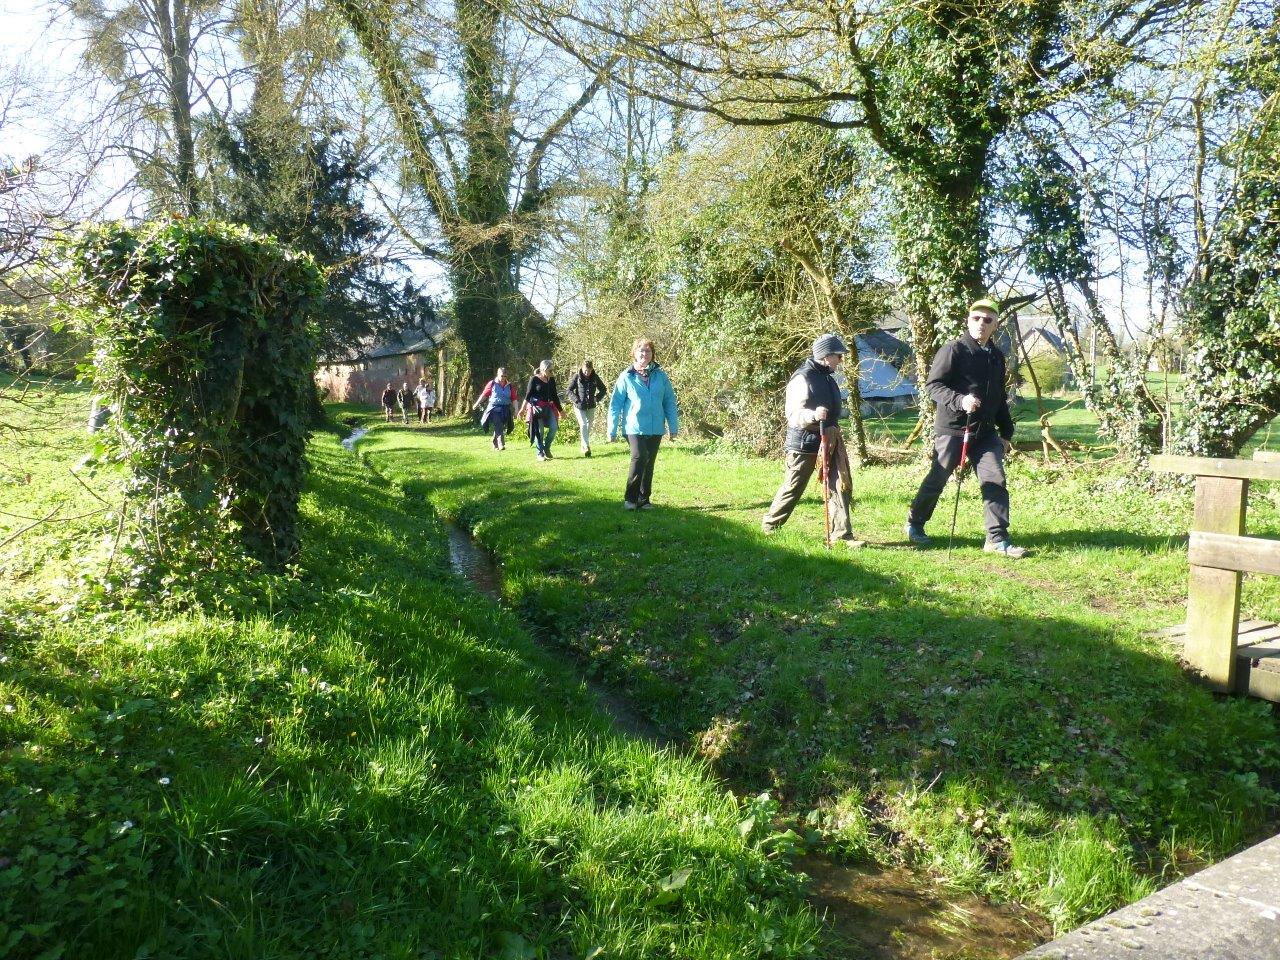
x: 643, y: 406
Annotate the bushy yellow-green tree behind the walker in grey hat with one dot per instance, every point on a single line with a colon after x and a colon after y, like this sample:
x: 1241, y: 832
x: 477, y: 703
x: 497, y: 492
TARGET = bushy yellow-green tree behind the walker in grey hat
x: 767, y: 254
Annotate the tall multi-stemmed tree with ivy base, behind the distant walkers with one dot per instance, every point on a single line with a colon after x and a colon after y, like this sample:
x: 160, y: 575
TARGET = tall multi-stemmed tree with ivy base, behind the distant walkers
x: 483, y: 171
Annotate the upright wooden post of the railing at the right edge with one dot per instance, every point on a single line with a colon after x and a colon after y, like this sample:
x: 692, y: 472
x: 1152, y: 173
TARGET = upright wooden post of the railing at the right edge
x: 1214, y: 595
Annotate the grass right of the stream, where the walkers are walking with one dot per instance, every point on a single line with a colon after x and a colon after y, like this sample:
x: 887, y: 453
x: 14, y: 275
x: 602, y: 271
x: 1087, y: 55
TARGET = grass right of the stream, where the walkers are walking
x: 1009, y: 726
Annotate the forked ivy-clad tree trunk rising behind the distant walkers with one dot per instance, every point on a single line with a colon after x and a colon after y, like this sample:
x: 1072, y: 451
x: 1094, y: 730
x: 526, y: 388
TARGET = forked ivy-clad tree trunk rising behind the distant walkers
x: 487, y: 211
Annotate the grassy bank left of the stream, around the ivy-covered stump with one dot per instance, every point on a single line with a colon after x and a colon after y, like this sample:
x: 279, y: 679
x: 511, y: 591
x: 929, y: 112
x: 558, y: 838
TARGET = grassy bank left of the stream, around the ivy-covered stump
x: 363, y: 761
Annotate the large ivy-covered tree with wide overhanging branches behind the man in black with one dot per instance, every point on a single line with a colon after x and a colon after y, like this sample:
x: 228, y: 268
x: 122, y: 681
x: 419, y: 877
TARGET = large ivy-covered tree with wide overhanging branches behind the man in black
x: 935, y: 85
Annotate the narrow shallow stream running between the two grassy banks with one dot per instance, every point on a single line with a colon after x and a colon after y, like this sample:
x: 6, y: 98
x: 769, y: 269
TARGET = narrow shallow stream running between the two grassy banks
x: 872, y: 912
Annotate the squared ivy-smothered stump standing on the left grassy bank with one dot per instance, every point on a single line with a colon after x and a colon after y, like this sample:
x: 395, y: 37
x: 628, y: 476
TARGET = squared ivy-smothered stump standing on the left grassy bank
x: 203, y: 350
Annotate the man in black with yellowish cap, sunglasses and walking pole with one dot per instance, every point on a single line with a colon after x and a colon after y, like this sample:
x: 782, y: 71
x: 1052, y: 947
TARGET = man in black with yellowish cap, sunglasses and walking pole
x: 967, y: 382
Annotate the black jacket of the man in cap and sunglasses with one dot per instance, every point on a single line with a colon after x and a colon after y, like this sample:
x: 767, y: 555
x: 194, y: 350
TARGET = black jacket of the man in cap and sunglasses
x: 963, y: 368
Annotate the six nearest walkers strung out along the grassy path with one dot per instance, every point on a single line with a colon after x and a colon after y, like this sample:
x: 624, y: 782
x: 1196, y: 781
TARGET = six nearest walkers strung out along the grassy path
x: 967, y: 382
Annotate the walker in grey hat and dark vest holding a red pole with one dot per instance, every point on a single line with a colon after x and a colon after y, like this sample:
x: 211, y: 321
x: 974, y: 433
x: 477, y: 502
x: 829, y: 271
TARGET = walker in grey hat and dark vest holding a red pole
x: 813, y: 406
